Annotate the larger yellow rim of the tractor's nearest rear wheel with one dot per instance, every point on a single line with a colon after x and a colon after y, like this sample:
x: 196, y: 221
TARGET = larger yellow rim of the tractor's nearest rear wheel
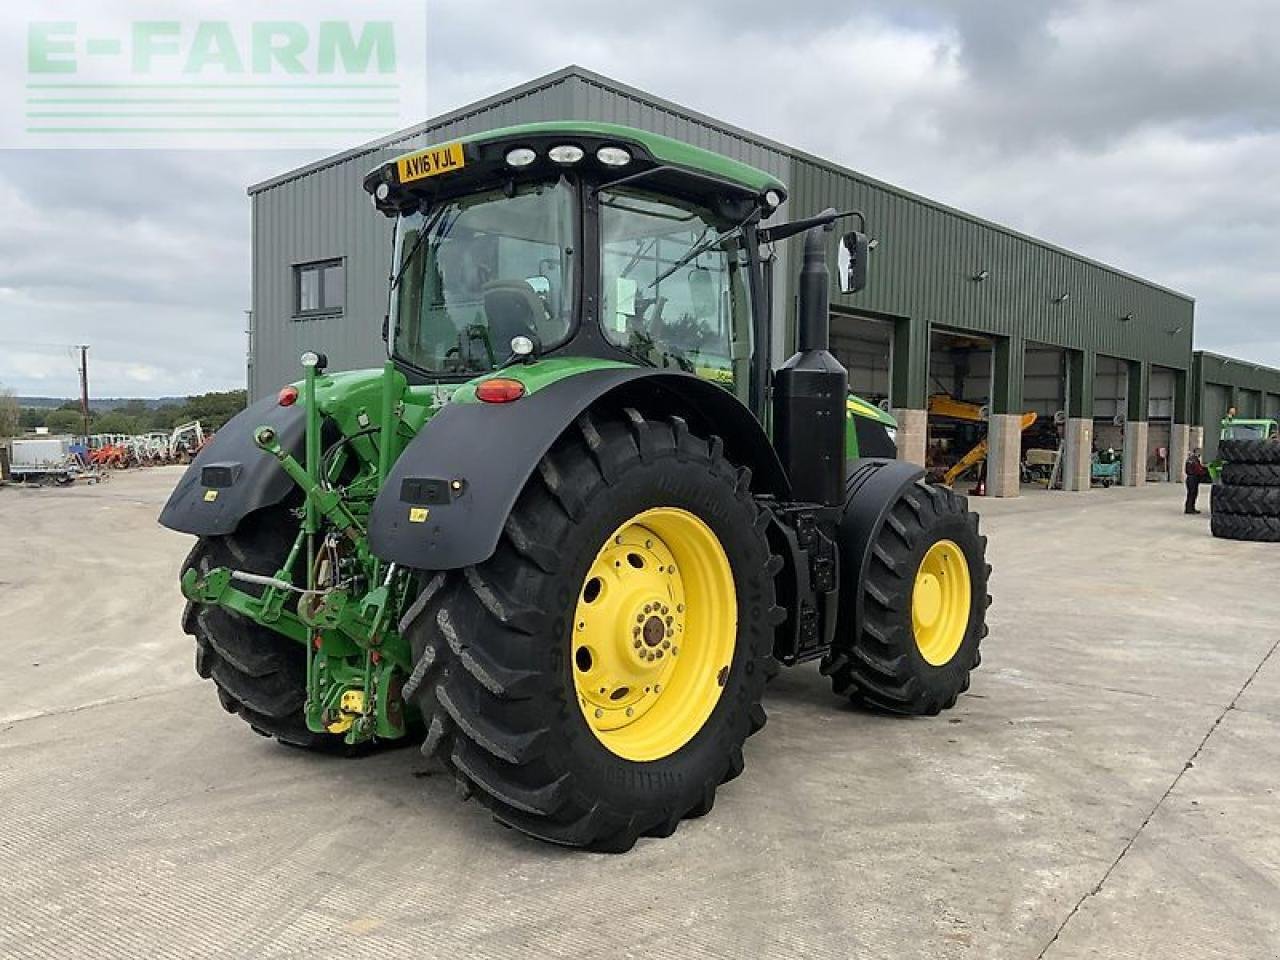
x: 653, y: 634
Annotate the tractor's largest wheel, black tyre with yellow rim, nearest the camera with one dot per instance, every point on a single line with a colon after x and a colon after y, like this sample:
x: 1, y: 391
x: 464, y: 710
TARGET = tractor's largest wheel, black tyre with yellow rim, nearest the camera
x: 528, y: 670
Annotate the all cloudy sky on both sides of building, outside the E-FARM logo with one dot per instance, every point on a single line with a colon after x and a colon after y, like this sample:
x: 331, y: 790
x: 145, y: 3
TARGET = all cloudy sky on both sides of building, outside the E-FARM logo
x: 1145, y: 135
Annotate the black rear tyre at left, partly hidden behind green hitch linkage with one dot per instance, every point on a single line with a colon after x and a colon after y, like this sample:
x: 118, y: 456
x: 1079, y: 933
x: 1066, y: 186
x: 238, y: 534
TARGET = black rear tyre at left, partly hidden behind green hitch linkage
x: 260, y: 675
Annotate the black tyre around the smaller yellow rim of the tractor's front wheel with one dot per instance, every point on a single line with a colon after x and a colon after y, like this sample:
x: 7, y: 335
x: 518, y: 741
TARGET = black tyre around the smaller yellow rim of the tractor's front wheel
x: 885, y: 665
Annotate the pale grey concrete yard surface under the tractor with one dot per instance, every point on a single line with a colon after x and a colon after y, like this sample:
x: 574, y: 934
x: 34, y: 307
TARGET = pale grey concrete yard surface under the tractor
x: 1108, y: 788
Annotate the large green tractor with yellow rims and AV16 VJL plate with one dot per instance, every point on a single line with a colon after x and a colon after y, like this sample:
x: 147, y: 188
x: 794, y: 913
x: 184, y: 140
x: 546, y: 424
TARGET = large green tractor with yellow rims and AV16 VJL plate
x: 570, y: 531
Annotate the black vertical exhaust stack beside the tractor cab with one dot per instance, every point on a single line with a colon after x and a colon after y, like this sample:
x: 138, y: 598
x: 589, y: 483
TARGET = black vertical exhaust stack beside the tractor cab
x: 812, y: 388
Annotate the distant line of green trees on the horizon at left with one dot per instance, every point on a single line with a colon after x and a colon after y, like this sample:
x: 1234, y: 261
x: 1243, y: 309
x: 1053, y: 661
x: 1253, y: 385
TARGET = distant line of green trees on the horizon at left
x: 212, y: 410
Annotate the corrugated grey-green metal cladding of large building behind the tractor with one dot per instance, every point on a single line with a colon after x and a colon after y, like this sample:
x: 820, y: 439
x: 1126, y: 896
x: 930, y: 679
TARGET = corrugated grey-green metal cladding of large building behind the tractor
x: 922, y: 268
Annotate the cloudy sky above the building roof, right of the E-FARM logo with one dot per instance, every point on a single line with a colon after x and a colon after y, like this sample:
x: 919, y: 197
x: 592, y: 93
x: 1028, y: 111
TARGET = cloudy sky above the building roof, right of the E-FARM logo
x: 1145, y: 135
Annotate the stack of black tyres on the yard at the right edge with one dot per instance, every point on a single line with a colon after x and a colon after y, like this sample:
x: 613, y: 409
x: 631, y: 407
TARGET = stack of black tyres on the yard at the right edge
x: 1246, y: 501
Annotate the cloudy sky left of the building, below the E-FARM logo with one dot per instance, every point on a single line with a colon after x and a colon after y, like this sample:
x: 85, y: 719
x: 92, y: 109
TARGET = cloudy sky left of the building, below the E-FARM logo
x: 147, y: 259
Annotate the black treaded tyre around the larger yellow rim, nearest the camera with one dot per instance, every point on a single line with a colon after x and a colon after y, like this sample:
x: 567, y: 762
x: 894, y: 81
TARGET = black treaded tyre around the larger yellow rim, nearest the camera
x: 497, y: 675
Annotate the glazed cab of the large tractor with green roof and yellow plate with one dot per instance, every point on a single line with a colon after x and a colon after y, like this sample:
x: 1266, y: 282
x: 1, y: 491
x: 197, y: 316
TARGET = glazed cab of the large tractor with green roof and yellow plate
x: 578, y: 240
